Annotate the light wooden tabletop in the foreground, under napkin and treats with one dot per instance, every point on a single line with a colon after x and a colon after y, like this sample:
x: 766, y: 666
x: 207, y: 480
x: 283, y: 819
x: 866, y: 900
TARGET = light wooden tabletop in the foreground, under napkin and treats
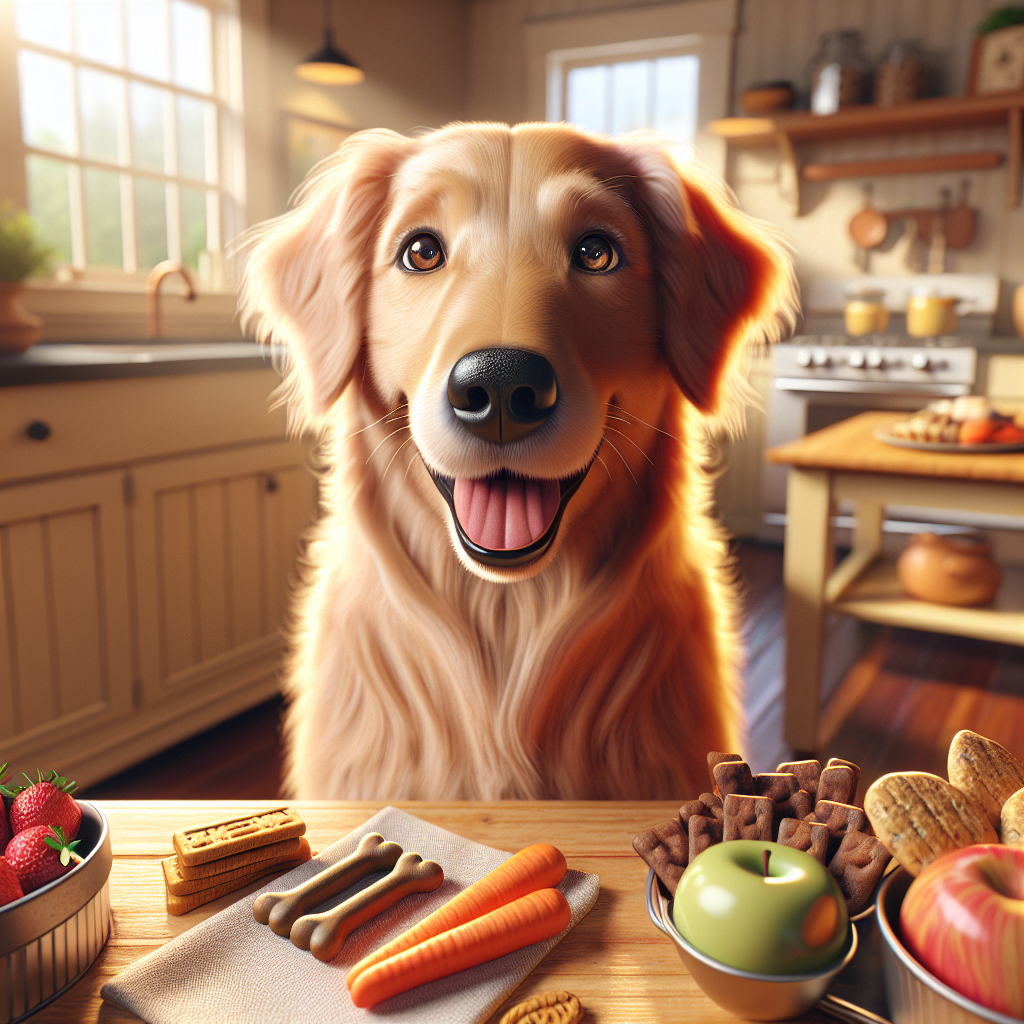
x: 619, y: 965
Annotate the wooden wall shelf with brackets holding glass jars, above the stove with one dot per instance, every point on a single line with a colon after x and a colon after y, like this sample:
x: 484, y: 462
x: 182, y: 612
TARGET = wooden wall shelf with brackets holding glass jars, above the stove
x: 787, y: 131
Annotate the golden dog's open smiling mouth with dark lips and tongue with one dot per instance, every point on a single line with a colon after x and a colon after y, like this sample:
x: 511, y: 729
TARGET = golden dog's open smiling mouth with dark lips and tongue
x: 506, y: 521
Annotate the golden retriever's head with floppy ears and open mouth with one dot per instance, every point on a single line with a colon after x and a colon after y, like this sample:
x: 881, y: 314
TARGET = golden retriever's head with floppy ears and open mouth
x: 521, y: 292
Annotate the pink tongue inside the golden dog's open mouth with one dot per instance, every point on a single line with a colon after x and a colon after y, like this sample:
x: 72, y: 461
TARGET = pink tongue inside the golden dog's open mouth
x: 506, y: 514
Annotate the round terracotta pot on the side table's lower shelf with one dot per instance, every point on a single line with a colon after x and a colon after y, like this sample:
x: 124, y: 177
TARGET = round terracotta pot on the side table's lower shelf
x: 949, y: 570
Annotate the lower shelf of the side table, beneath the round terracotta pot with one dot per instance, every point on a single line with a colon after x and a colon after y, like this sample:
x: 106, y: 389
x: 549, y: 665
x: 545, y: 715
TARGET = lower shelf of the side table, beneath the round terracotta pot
x: 875, y: 595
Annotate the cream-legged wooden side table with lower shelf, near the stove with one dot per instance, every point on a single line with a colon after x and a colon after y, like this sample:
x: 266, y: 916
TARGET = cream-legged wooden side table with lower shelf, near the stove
x: 845, y: 462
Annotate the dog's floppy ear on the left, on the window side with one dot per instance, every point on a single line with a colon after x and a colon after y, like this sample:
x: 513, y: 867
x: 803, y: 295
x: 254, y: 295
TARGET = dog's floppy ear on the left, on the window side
x: 305, y: 279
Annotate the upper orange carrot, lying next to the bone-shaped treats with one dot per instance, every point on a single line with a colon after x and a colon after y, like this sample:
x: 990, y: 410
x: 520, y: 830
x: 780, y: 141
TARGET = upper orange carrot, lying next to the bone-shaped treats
x: 538, y: 867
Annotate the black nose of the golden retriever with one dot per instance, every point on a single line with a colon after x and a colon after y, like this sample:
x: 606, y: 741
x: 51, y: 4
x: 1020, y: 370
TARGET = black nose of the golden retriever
x: 502, y: 395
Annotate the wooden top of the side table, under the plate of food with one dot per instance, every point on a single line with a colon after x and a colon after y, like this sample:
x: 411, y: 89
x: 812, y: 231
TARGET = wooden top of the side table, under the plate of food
x: 851, y: 446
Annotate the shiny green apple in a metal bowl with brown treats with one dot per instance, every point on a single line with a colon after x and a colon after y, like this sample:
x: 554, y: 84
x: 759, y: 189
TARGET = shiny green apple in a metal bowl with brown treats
x: 792, y: 921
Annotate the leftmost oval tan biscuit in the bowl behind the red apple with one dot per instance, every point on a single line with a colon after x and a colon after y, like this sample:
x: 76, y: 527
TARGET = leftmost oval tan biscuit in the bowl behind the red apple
x: 920, y: 818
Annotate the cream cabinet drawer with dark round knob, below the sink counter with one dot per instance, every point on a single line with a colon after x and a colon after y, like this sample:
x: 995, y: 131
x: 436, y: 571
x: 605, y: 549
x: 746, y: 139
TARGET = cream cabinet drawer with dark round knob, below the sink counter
x: 109, y: 422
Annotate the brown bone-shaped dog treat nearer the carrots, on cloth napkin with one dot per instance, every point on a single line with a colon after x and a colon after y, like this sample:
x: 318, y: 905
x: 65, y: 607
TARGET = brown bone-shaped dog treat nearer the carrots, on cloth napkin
x: 325, y: 934
